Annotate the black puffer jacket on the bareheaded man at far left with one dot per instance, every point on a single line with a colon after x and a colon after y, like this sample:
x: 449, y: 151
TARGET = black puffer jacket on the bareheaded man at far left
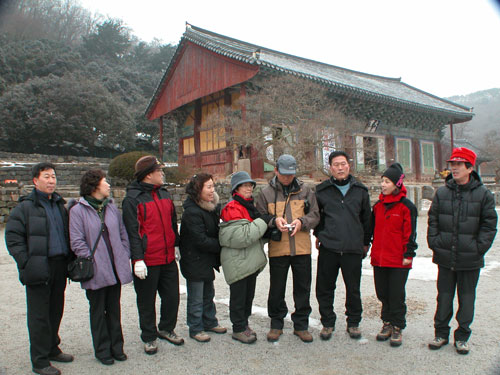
x: 27, y: 237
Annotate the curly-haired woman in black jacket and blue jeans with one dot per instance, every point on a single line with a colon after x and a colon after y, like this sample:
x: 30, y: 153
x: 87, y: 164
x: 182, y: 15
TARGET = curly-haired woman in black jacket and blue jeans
x: 200, y: 255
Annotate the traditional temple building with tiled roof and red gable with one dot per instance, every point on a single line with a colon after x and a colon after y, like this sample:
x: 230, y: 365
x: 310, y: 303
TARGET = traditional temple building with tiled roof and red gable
x: 210, y: 71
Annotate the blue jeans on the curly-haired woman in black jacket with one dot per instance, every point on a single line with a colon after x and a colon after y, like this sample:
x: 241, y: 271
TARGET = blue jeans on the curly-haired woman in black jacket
x: 201, y: 307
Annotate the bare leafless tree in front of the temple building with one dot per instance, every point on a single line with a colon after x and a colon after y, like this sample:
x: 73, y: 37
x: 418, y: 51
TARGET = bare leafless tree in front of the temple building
x: 287, y: 114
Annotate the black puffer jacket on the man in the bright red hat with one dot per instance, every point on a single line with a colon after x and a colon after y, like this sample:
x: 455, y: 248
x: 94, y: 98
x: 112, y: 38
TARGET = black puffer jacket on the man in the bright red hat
x: 462, y: 224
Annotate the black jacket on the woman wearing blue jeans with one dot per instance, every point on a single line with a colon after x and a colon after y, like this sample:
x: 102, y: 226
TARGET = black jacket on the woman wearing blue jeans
x: 199, y: 244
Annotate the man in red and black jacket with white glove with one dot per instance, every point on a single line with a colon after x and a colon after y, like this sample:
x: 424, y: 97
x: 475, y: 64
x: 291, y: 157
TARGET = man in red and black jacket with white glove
x: 151, y: 222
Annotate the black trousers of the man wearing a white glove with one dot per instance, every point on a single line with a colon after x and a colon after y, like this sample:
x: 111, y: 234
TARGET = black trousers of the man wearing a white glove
x: 163, y: 280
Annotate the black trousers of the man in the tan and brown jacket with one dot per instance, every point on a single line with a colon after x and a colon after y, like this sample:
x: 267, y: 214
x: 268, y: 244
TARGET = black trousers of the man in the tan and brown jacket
x: 276, y: 305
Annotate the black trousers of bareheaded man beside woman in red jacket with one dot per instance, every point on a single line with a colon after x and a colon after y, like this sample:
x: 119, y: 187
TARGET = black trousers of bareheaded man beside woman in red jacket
x: 329, y: 263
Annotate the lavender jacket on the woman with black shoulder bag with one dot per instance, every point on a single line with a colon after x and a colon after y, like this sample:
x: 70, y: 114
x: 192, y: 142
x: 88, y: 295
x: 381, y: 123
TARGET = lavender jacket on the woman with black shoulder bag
x: 84, y: 227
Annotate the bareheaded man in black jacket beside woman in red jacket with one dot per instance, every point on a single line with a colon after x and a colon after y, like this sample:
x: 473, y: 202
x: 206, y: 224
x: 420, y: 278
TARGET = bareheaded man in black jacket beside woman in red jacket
x: 343, y: 236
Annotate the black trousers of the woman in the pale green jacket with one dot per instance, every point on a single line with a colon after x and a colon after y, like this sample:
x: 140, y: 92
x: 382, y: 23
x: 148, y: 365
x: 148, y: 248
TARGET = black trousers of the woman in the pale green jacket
x: 241, y: 295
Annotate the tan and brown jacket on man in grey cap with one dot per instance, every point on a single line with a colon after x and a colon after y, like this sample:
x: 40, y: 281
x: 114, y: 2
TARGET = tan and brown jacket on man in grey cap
x: 272, y: 200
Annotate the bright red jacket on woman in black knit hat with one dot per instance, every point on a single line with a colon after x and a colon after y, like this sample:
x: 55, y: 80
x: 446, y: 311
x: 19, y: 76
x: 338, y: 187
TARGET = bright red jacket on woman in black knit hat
x: 394, y: 225
